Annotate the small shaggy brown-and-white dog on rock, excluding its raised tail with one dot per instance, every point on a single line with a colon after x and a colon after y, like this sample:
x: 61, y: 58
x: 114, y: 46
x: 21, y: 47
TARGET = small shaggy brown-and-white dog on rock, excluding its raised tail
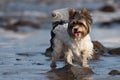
x: 73, y: 39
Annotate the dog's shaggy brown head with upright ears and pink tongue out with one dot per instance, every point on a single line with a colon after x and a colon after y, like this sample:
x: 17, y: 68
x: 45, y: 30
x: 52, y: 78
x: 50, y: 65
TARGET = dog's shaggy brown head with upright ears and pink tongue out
x: 79, y: 23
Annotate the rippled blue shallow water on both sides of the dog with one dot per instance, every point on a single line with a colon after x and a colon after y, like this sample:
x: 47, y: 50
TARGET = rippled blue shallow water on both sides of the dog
x: 21, y: 54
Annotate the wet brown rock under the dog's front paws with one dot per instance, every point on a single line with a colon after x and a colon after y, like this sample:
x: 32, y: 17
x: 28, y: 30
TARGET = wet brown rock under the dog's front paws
x: 70, y: 73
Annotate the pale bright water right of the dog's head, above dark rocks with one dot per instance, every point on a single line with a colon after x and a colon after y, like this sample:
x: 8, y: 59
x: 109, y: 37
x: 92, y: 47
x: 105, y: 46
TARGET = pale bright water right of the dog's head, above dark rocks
x: 109, y: 36
